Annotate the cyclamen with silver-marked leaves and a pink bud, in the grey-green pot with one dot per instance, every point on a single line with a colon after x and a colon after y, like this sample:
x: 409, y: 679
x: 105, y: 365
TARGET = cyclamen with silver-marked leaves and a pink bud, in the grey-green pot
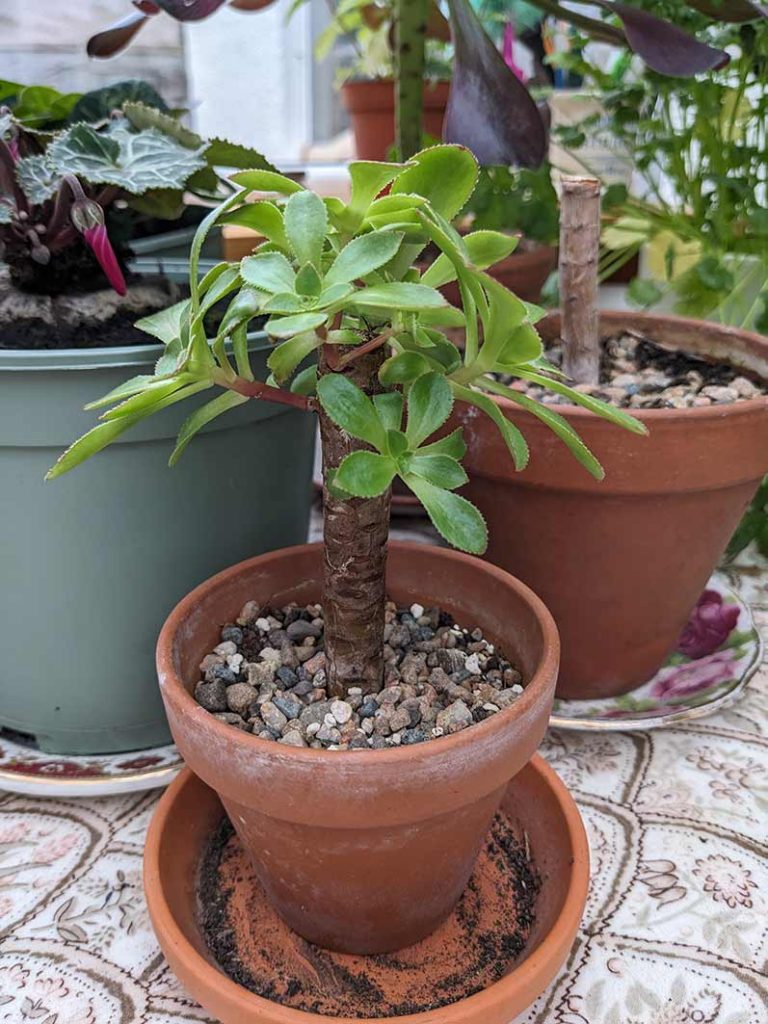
x: 57, y: 185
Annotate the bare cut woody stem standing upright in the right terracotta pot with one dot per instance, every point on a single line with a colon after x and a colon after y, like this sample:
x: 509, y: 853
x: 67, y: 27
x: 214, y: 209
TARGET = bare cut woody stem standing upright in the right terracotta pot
x: 580, y: 251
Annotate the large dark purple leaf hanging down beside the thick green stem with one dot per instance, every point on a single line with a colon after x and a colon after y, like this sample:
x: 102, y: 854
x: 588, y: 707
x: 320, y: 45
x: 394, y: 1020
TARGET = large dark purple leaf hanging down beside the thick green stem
x: 490, y: 110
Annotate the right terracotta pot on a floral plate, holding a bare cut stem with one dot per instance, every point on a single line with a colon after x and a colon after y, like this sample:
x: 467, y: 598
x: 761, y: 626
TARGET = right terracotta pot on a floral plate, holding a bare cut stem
x: 621, y: 564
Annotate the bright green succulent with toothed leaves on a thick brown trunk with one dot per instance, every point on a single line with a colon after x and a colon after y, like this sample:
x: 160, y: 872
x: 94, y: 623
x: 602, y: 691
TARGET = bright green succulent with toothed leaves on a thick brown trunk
x: 338, y: 285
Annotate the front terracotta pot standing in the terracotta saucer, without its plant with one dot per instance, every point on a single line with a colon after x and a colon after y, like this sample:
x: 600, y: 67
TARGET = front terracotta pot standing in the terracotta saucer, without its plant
x: 363, y: 851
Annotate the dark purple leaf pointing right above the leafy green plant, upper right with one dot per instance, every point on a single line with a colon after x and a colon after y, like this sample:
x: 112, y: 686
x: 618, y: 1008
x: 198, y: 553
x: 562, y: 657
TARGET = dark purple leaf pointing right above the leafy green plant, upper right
x: 664, y: 47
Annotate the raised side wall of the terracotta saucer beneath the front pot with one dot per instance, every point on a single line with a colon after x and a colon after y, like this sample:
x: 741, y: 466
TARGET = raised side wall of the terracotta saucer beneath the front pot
x: 537, y: 801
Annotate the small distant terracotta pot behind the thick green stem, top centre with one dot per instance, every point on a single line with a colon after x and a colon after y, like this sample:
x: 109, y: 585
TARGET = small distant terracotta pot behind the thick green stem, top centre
x: 371, y: 109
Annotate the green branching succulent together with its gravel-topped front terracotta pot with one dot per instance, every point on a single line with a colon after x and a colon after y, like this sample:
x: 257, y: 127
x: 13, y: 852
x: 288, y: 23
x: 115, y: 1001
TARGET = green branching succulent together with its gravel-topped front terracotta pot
x: 339, y: 286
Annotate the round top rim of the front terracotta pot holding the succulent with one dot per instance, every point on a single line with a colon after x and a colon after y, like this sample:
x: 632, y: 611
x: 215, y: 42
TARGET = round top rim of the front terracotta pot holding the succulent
x: 415, y: 754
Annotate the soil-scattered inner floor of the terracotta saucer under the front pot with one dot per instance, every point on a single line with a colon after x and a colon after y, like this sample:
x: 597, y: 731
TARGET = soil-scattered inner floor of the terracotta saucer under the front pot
x: 475, y: 949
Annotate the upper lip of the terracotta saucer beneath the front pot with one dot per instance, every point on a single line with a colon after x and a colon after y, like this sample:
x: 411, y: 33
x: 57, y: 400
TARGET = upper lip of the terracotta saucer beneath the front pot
x: 537, y: 966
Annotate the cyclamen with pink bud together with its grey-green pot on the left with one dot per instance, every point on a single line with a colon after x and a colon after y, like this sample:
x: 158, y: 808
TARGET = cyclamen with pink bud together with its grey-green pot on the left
x: 63, y: 330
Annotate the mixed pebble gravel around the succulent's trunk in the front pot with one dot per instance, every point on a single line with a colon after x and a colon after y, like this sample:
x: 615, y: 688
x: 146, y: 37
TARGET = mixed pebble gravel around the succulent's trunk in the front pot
x: 268, y: 676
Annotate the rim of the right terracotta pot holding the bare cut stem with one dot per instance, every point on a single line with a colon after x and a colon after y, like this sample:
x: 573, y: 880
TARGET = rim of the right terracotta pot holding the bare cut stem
x: 705, y: 413
